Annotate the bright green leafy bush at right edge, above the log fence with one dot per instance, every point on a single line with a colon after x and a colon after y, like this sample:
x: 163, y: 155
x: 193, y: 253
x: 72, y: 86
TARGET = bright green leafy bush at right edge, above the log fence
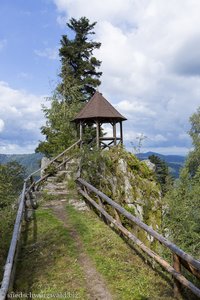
x: 182, y: 215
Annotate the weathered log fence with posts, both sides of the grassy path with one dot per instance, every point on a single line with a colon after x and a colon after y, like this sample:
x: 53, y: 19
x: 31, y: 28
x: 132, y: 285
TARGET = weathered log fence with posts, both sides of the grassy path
x: 180, y: 258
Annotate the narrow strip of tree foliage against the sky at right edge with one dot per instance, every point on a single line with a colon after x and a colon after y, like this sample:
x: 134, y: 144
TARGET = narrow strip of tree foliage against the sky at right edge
x: 193, y: 161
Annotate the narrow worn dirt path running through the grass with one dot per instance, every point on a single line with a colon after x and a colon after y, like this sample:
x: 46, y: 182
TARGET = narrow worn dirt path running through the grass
x: 96, y: 286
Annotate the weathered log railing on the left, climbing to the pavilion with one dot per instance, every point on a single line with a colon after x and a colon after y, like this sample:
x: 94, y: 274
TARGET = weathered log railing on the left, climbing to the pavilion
x: 29, y: 187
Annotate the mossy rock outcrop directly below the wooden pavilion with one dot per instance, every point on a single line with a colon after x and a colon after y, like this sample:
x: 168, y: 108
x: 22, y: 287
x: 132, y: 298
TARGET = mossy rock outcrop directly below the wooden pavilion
x: 107, y: 171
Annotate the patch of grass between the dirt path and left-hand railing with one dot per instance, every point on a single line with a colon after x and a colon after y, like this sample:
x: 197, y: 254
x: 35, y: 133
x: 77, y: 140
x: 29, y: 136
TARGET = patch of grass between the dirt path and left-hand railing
x: 48, y: 262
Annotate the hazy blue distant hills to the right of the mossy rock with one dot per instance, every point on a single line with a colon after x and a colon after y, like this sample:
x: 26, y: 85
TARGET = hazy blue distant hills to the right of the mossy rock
x: 175, y: 162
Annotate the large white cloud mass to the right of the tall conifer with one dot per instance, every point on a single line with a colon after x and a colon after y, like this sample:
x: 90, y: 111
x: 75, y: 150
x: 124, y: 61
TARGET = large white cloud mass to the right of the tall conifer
x: 150, y: 63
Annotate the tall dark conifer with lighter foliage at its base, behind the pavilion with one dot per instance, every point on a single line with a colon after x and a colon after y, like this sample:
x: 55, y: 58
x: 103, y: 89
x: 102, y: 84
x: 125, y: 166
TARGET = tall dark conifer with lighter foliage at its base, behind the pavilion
x: 79, y: 79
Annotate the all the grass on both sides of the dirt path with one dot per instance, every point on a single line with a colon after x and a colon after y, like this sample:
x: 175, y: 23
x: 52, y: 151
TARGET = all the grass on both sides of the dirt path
x: 49, y: 260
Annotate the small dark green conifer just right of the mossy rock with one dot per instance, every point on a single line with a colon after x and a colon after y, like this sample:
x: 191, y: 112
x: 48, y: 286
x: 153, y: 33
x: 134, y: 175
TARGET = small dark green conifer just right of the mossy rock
x: 163, y: 176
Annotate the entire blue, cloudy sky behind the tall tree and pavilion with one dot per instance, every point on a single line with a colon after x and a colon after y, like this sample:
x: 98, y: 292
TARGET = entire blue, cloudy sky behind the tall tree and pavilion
x: 150, y: 63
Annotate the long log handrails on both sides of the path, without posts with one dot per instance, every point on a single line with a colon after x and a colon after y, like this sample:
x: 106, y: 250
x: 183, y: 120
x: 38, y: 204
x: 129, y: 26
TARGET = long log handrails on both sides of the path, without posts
x: 185, y: 259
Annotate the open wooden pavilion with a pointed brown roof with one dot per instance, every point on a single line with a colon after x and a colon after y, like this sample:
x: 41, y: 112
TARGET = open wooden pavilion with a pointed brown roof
x: 99, y: 111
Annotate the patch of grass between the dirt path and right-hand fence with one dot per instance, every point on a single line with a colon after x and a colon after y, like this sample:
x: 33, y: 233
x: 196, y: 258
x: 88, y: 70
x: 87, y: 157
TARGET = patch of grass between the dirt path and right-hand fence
x: 126, y: 274
